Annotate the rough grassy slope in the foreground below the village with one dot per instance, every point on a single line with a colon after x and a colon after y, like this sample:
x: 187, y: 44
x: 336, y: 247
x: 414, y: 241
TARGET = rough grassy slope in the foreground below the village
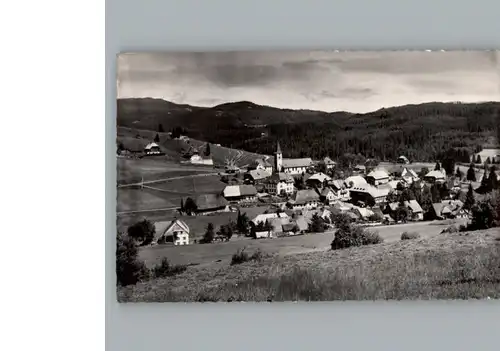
x: 449, y: 266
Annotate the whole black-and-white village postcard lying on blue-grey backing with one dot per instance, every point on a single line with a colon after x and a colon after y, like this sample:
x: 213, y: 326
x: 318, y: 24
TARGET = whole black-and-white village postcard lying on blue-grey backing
x: 323, y: 175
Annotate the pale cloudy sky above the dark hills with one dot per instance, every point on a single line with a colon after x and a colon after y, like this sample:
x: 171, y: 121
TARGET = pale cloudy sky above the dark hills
x: 317, y: 80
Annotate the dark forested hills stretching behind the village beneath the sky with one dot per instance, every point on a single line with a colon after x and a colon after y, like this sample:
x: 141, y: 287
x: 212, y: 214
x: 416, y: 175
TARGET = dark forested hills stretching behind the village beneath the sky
x: 422, y: 132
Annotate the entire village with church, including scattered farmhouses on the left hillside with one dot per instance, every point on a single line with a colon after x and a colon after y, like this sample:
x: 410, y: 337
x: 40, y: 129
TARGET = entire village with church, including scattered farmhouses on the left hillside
x: 275, y: 197
